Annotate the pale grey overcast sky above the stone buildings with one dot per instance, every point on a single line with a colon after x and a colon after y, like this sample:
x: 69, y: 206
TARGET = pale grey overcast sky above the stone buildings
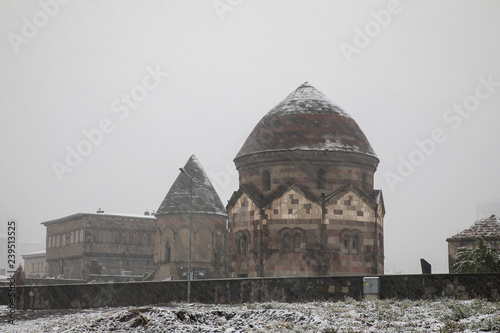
x: 136, y: 87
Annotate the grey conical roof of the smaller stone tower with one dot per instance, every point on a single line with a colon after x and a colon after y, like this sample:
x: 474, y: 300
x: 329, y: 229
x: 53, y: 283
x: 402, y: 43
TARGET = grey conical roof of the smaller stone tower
x: 205, y: 198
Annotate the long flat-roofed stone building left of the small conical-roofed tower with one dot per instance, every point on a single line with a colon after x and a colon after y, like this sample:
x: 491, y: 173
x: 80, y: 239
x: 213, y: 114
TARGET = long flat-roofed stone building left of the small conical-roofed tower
x: 89, y: 245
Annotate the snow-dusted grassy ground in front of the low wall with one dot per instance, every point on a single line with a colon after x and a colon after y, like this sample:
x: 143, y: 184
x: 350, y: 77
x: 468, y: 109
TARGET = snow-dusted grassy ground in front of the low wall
x: 349, y: 316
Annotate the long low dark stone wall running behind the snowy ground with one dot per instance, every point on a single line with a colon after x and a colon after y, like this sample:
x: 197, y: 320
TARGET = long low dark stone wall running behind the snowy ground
x: 233, y: 291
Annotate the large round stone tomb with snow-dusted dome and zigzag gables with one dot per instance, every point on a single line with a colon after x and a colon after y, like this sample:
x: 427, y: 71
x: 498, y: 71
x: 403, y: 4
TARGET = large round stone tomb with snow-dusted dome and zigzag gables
x: 306, y: 205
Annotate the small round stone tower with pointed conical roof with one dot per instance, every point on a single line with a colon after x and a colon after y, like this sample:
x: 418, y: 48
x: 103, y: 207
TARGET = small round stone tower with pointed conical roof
x: 208, y: 228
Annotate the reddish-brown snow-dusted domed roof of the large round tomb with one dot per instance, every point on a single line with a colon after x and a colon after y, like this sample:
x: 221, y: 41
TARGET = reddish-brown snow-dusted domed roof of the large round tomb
x: 306, y: 120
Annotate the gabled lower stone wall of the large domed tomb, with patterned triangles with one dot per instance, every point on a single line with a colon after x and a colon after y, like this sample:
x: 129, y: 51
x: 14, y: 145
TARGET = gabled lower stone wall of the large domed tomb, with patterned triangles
x: 294, y: 236
